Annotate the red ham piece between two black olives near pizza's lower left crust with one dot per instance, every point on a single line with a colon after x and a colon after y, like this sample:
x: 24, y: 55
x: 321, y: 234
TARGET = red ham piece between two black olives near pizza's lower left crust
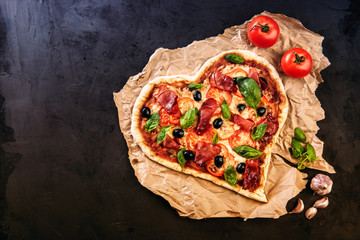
x: 205, y: 151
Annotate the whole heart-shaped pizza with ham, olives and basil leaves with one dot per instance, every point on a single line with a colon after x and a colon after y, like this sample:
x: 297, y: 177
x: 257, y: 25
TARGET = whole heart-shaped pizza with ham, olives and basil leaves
x: 219, y: 125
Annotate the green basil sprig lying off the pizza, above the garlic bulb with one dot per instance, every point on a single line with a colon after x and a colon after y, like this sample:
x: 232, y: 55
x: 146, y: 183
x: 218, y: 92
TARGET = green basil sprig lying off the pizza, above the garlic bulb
x: 305, y: 156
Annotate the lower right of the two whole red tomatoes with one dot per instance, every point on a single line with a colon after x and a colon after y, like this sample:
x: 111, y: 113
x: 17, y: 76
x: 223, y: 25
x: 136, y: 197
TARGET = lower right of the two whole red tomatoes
x: 296, y: 63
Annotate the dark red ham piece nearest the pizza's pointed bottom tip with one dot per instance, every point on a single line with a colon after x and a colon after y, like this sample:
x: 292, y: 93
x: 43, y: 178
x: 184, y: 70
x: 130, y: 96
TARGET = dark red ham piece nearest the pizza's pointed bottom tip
x: 251, y: 177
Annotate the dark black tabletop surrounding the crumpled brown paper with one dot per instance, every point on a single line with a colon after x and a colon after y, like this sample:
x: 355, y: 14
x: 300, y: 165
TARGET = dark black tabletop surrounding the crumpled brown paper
x: 64, y: 168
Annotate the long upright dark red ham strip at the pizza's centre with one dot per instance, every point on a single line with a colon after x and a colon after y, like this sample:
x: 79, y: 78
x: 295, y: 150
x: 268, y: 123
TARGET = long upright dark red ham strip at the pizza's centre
x: 207, y: 109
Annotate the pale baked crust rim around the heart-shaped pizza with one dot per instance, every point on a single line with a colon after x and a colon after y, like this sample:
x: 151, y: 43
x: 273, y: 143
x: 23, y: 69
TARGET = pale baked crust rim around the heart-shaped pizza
x: 259, y: 193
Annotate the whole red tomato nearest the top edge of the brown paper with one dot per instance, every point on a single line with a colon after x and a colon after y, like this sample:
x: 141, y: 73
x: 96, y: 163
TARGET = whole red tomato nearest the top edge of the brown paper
x: 263, y: 31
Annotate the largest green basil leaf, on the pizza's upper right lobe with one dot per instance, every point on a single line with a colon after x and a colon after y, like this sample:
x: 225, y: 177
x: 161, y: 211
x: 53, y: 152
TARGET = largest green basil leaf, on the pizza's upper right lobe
x: 251, y: 92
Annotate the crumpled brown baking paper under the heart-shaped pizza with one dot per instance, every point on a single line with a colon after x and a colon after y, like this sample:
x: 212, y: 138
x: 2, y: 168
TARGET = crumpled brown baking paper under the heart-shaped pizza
x: 197, y: 198
